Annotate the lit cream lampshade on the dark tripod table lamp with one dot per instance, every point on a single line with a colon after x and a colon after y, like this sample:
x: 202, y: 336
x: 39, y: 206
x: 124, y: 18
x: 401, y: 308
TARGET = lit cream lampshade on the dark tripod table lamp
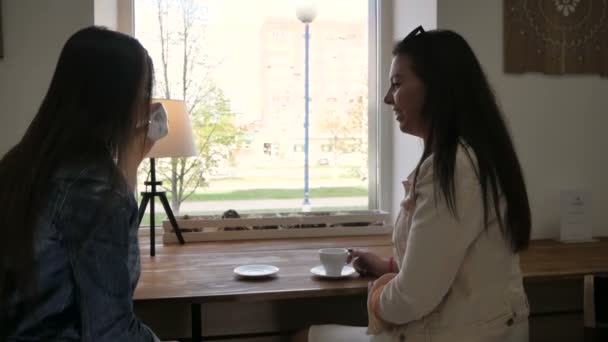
x: 180, y: 140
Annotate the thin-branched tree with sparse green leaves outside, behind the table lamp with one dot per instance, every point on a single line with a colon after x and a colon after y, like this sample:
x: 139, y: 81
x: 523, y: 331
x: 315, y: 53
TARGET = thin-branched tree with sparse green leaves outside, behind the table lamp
x: 183, y: 72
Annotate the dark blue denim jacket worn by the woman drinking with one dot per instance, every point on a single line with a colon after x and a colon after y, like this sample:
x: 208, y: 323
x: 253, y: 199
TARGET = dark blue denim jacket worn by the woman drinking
x: 87, y: 260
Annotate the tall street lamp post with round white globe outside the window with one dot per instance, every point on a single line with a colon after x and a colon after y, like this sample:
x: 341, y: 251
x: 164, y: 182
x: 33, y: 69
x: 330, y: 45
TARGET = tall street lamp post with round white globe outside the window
x: 306, y: 11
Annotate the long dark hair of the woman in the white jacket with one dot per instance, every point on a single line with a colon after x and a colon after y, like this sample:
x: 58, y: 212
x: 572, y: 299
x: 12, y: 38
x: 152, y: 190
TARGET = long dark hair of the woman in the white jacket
x: 460, y: 106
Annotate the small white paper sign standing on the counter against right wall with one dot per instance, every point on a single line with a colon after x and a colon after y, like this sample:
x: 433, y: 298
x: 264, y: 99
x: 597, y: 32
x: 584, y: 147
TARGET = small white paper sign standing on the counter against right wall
x: 575, y: 224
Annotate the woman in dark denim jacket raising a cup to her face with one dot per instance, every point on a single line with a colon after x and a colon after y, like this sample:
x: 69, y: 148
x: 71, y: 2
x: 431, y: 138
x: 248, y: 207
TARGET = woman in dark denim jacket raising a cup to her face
x: 70, y: 260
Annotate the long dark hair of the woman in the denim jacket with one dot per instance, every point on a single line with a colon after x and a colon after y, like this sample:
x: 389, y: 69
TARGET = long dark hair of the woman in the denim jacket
x: 102, y: 83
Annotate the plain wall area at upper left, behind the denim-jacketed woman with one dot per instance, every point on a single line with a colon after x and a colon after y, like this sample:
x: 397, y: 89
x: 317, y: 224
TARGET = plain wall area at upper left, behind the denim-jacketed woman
x: 34, y: 33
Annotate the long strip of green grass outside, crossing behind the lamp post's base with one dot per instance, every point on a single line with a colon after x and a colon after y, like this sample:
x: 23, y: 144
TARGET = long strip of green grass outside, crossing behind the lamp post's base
x: 258, y: 194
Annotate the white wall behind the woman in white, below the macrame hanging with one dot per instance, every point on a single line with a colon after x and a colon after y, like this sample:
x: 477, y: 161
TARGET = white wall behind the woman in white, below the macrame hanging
x: 558, y: 123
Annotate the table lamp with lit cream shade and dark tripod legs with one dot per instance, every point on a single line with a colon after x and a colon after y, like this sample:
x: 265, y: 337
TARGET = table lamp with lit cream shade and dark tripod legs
x: 178, y: 143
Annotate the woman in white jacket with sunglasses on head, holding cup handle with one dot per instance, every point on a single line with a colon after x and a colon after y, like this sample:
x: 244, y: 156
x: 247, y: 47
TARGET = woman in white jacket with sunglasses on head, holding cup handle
x: 465, y: 216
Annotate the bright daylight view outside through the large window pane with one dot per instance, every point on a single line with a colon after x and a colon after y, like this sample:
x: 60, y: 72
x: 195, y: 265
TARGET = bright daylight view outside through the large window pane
x: 240, y: 68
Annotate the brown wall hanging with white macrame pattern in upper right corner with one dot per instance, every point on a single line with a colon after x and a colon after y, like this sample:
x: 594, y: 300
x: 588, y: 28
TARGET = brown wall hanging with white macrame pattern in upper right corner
x: 556, y: 36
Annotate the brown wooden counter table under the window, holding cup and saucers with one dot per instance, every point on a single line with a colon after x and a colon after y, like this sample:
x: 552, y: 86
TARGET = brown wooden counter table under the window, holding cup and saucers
x: 199, y: 273
